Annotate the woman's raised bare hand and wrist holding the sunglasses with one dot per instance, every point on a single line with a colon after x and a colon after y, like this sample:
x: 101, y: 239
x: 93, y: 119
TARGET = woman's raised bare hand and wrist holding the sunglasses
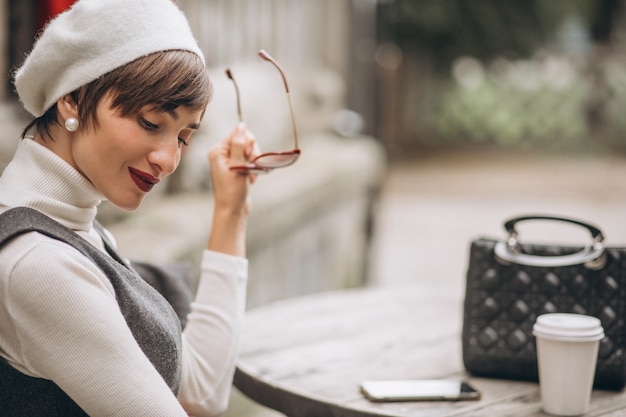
x: 230, y: 189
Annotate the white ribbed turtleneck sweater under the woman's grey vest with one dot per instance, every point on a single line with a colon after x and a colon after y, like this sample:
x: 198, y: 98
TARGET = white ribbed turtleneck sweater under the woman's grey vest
x: 59, y: 318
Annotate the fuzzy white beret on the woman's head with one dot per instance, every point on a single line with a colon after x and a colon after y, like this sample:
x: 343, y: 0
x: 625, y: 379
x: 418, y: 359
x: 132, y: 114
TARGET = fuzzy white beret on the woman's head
x: 93, y: 38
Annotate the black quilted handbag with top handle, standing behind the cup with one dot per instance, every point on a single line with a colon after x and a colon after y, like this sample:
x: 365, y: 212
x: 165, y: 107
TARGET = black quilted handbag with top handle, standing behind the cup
x: 510, y: 283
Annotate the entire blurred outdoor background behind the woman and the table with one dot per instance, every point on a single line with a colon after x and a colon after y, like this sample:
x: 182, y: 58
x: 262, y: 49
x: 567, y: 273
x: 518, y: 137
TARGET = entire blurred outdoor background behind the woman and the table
x: 422, y: 123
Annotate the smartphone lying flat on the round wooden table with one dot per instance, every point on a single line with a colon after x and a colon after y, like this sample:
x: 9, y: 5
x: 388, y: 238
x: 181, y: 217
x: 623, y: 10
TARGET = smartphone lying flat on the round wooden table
x: 419, y: 390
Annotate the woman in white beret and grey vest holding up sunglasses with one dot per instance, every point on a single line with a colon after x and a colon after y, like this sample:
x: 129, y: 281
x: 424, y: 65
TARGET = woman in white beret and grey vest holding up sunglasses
x: 117, y: 88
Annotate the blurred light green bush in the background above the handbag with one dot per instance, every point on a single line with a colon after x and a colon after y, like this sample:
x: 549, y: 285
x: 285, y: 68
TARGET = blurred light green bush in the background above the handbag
x: 509, y: 116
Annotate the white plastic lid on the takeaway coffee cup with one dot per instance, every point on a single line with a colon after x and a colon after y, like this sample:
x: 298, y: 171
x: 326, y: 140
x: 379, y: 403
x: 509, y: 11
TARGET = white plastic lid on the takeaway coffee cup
x: 568, y: 327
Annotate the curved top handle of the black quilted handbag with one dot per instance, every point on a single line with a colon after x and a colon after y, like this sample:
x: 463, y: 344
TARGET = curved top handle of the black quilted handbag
x: 592, y: 255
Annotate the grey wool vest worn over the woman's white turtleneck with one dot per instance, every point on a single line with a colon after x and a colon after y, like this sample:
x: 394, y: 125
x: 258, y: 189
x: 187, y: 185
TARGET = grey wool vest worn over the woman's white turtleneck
x: 151, y: 319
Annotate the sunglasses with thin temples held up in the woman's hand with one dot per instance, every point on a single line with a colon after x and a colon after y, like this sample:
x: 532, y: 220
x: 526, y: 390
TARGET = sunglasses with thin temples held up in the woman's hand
x: 268, y: 161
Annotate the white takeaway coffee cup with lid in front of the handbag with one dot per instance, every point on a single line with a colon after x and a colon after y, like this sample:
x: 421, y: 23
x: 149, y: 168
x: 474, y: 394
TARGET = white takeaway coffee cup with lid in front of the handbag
x: 567, y: 353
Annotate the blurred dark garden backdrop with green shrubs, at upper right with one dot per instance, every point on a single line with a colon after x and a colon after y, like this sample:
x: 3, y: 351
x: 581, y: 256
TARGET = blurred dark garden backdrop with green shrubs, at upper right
x: 511, y: 73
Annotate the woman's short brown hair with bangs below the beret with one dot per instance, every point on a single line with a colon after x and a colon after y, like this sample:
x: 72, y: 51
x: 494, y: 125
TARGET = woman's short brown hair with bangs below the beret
x: 167, y: 80
